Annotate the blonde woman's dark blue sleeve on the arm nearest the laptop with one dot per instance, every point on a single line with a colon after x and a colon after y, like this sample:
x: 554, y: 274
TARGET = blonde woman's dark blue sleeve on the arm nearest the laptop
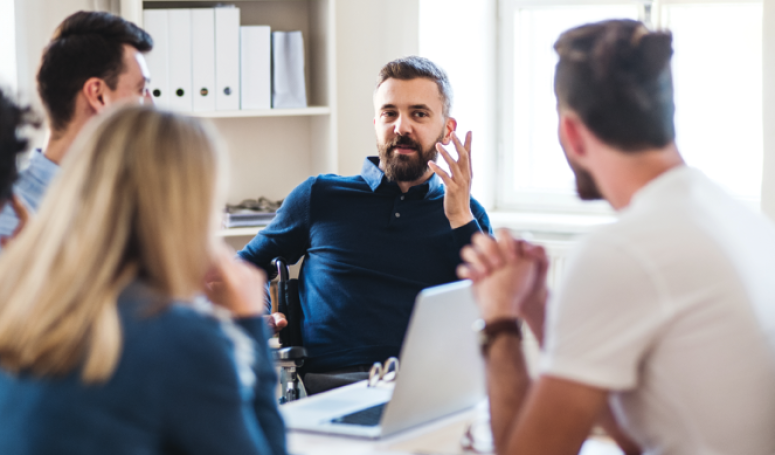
x: 206, y: 407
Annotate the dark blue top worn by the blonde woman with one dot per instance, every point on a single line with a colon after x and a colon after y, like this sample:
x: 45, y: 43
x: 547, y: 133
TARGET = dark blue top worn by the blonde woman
x: 185, y: 383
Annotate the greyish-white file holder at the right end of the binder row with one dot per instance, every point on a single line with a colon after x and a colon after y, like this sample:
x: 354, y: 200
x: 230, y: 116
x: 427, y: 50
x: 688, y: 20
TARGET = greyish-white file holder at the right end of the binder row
x: 288, y: 89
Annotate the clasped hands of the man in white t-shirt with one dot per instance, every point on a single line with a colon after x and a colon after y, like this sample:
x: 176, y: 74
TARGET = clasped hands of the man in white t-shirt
x: 507, y: 276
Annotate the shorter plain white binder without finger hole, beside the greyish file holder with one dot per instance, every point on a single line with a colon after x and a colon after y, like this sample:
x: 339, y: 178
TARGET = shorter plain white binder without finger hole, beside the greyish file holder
x: 256, y: 67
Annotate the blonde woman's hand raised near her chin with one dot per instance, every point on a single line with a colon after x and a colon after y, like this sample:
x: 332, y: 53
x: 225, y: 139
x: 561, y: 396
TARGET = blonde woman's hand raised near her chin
x: 235, y: 285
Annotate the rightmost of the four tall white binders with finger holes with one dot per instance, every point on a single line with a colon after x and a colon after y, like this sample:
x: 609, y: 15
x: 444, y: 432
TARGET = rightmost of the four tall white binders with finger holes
x: 227, y: 94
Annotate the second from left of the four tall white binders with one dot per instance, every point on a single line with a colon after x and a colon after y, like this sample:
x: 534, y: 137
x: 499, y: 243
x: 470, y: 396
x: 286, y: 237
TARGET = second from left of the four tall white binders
x: 180, y: 59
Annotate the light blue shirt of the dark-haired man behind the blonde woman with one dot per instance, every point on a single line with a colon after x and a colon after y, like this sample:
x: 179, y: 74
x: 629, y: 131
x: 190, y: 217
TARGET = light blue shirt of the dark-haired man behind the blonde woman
x: 30, y: 187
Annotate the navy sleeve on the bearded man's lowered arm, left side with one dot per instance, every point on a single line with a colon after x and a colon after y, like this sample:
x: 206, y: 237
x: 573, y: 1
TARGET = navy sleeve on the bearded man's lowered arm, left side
x: 287, y: 235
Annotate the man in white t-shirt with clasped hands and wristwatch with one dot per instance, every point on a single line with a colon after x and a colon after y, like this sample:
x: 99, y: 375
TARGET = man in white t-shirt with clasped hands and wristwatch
x: 663, y: 329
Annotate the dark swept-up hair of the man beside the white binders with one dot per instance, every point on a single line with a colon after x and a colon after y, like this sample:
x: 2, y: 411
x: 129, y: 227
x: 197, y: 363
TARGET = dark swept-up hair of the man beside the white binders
x: 85, y: 45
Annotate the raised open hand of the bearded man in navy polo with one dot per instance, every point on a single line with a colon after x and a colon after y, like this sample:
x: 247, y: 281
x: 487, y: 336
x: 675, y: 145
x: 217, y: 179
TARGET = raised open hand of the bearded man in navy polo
x: 457, y: 193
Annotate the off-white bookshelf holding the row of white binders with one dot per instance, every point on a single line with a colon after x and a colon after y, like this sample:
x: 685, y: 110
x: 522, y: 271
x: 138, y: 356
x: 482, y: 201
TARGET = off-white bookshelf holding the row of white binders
x: 273, y: 150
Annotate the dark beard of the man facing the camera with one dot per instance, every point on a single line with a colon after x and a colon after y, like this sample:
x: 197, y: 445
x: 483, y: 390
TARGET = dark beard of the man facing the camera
x: 406, y: 168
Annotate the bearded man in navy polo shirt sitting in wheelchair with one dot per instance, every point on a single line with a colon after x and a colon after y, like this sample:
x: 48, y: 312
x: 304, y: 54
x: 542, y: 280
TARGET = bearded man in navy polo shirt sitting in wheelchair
x: 371, y: 242
